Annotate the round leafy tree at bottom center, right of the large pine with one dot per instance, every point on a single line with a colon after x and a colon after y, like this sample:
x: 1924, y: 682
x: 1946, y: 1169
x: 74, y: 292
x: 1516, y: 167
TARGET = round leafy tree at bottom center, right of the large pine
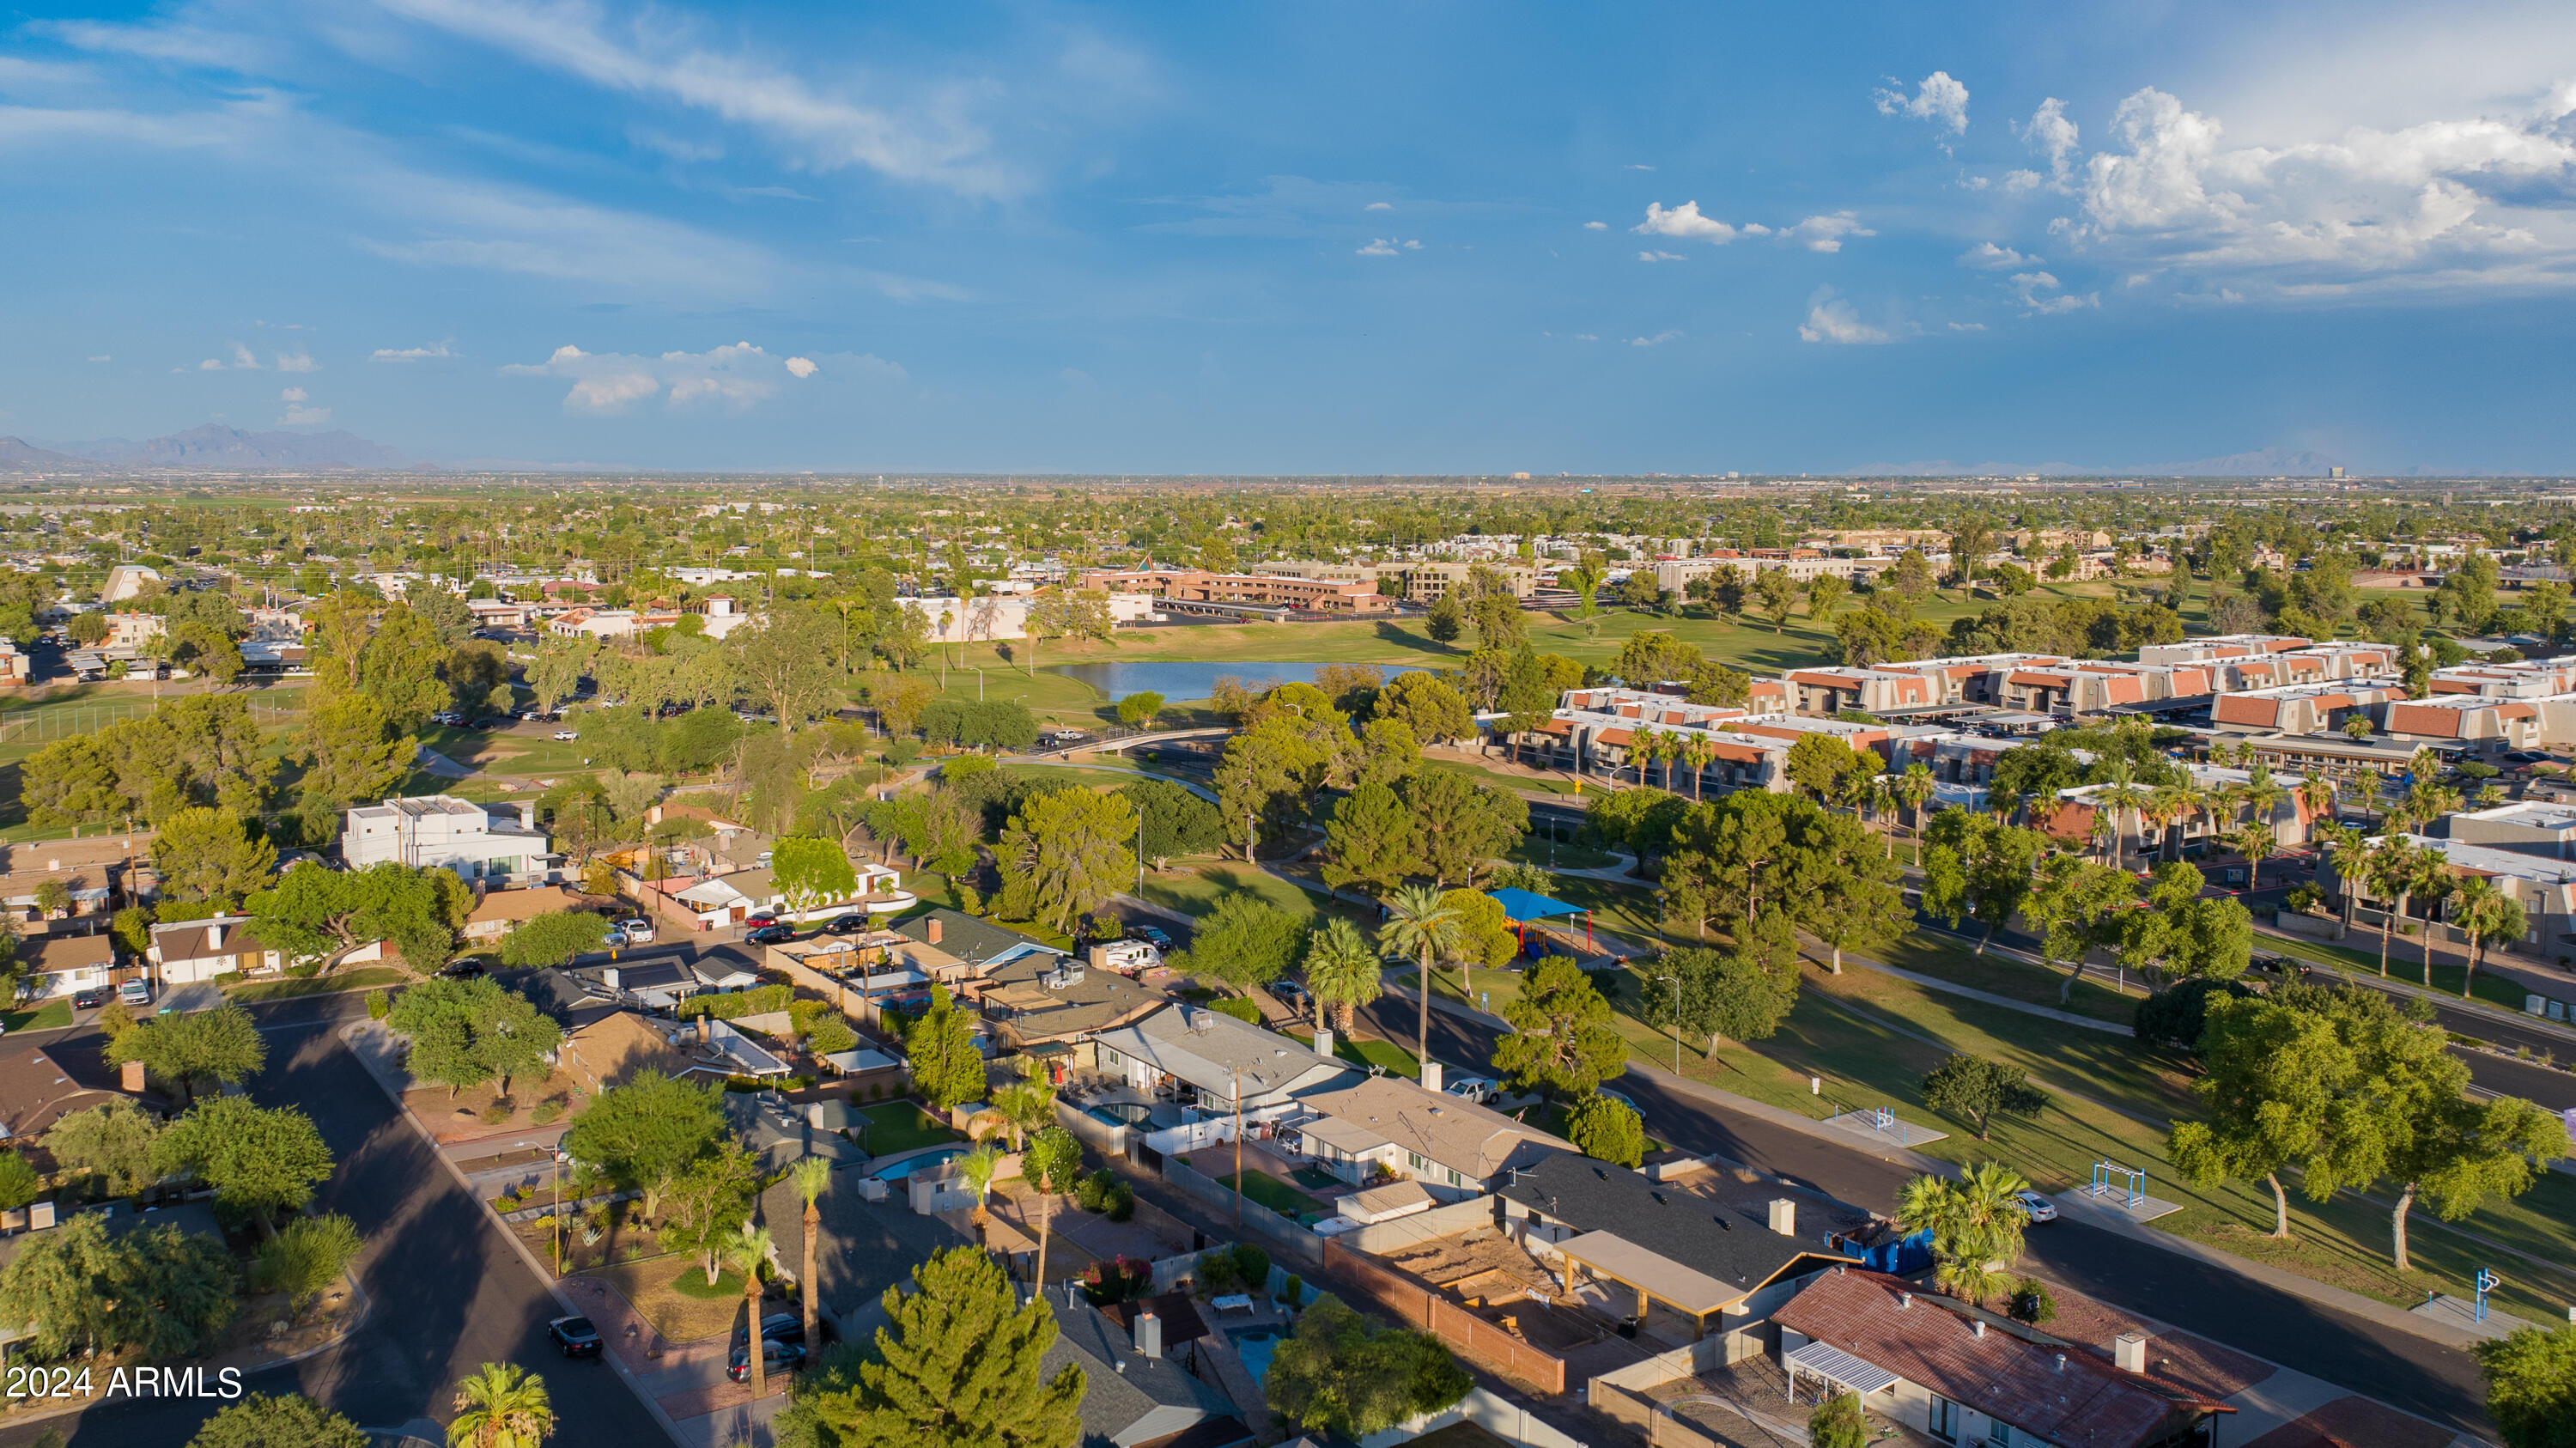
x: 1346, y: 1377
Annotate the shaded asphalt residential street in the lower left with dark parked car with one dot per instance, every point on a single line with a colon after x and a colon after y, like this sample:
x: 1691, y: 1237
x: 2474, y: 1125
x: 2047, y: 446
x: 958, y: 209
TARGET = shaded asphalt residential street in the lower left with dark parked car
x: 450, y: 1295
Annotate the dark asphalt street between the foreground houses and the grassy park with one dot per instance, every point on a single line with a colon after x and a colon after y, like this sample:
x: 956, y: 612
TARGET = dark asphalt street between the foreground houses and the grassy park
x: 2394, y: 1367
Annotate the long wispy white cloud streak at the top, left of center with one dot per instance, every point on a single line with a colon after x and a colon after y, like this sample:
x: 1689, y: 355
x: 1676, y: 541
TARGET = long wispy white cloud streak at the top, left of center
x: 656, y: 55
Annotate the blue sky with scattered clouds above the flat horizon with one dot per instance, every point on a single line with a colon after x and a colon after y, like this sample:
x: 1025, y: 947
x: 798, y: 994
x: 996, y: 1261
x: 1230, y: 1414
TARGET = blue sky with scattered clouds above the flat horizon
x: 1300, y: 238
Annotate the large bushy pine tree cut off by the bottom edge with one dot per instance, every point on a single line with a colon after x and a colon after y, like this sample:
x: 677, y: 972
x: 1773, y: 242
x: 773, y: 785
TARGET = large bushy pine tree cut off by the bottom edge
x: 960, y: 1362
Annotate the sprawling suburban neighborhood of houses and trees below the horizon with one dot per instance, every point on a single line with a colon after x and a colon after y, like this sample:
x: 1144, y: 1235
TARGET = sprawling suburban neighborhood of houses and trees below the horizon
x: 1727, y: 962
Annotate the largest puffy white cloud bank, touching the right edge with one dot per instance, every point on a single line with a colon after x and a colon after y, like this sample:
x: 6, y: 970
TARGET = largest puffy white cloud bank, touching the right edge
x: 2456, y: 202
